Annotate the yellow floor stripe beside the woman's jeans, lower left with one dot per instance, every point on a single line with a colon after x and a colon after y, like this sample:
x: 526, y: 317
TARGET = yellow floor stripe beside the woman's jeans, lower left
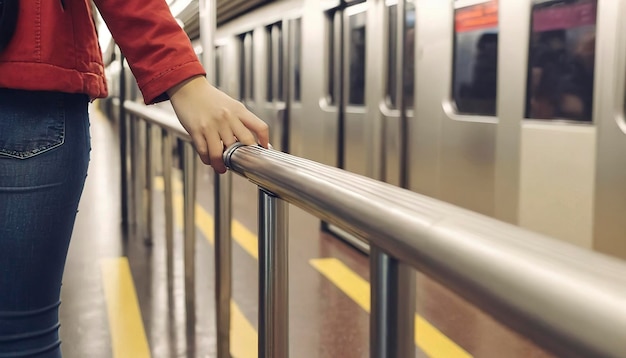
x: 128, y: 337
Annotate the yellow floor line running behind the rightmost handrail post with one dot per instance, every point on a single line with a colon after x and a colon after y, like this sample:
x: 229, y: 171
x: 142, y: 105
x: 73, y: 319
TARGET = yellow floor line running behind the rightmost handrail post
x: 430, y: 340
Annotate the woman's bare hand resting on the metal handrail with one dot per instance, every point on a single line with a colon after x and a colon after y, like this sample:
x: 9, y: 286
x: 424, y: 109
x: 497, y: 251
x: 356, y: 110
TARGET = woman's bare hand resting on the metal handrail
x: 214, y: 120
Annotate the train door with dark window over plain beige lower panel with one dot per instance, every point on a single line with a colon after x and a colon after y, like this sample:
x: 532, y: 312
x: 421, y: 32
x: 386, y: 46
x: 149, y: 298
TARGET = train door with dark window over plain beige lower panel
x: 559, y: 127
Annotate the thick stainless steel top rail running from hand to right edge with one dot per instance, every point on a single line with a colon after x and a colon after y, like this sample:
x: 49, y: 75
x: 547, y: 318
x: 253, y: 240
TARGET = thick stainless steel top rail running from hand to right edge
x: 547, y: 290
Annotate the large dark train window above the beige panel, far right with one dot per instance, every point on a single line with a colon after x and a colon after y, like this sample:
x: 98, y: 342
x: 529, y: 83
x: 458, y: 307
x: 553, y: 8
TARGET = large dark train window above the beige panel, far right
x: 562, y: 60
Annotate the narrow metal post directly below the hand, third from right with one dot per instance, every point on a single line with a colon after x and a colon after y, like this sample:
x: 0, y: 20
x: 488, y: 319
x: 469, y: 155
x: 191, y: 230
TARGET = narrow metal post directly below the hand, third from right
x: 223, y: 260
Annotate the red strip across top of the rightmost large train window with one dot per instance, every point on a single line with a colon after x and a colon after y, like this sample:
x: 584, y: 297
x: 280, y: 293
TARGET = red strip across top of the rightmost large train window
x: 565, y: 17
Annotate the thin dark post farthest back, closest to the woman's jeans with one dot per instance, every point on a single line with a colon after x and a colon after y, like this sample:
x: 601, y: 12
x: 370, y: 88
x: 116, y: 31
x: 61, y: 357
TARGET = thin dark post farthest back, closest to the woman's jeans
x: 124, y: 175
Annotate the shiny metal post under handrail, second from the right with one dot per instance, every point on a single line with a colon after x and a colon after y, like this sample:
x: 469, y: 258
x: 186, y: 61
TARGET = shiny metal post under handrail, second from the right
x: 274, y: 277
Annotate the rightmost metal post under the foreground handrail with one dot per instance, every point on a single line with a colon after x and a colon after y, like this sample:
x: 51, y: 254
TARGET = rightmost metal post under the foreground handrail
x: 393, y: 307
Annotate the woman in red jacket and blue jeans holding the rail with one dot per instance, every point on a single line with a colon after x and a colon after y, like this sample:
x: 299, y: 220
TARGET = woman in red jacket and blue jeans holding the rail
x: 49, y: 70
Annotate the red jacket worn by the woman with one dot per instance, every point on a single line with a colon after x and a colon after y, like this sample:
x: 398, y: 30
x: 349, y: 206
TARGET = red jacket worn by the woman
x: 55, y: 47
